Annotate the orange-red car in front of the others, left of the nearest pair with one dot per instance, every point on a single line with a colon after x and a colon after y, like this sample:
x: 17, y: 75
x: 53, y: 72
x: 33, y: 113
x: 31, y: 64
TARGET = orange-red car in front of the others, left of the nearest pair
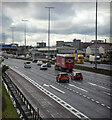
x: 62, y: 77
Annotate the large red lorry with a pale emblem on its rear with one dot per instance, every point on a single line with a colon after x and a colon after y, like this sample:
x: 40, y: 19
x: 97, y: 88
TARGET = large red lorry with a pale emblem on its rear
x: 64, y: 62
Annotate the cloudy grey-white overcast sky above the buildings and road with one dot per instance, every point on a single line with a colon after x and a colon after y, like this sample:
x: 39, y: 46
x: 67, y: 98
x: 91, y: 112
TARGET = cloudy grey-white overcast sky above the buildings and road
x: 69, y: 20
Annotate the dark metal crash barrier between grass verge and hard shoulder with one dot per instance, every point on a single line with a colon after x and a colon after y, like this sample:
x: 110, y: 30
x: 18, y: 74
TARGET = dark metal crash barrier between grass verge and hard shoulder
x: 26, y: 109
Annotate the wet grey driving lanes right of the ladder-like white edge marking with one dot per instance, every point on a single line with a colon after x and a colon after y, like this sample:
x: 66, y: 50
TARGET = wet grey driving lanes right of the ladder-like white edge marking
x: 91, y: 96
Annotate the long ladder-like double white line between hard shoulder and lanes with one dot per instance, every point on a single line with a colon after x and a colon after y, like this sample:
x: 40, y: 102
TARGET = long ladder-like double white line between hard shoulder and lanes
x: 54, y: 97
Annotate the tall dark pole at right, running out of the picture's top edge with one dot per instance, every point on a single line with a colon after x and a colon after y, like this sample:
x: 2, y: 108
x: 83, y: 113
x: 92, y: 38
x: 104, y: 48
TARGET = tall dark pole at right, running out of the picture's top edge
x: 96, y: 39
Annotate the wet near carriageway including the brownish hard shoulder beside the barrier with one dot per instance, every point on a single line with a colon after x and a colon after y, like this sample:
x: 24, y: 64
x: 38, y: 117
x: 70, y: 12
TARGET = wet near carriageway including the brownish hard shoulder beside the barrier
x: 89, y: 98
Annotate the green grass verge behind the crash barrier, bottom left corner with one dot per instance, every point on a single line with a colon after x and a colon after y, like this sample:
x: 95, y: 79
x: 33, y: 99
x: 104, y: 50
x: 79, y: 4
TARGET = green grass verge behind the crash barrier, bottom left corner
x: 8, y: 110
